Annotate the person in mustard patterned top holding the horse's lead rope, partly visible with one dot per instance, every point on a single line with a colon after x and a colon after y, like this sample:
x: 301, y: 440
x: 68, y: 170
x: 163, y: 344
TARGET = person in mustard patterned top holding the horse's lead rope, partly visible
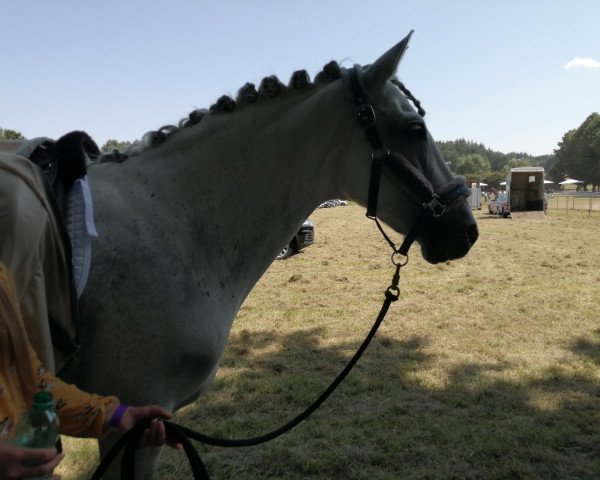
x: 81, y: 414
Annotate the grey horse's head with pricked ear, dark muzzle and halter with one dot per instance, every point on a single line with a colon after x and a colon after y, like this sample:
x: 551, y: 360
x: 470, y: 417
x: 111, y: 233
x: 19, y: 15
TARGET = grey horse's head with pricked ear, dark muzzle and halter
x: 407, y: 167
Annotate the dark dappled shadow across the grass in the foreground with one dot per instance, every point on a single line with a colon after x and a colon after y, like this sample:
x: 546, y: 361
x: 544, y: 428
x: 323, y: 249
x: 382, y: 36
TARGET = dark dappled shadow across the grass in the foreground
x: 389, y: 419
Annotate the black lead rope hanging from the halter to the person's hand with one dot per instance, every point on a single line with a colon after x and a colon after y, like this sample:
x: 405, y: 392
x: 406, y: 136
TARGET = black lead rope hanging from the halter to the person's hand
x: 129, y: 441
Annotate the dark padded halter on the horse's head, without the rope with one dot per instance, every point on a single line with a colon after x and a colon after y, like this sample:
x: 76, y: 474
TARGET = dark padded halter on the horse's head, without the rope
x: 434, y: 203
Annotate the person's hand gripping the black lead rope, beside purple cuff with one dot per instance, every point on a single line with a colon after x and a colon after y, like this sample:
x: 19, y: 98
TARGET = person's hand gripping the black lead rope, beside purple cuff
x: 154, y: 435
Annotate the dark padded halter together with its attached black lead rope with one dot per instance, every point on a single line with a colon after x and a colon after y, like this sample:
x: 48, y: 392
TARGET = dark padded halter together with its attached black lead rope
x: 434, y: 204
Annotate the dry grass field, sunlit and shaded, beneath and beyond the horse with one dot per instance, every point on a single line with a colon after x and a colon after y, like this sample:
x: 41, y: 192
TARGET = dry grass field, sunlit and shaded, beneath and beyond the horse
x: 486, y: 368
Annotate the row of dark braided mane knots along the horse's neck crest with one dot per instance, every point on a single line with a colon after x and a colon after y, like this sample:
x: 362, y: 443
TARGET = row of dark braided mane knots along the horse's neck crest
x: 269, y: 88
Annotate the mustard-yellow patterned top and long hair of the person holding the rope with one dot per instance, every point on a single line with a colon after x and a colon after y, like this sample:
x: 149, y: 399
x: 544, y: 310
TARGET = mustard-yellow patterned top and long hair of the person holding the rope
x: 21, y: 375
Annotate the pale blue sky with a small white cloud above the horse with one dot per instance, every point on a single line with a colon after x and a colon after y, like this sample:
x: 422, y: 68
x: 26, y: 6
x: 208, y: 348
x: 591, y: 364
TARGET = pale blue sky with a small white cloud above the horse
x: 515, y: 75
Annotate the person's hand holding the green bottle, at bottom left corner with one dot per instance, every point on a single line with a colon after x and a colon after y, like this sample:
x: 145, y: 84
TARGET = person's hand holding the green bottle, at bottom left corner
x: 18, y: 462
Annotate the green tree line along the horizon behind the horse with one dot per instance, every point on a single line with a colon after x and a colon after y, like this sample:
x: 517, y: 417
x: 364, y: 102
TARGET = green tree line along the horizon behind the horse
x: 577, y: 156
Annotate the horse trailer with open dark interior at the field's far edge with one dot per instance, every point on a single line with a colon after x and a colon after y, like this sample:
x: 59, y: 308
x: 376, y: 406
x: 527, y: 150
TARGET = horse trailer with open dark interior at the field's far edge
x: 525, y: 190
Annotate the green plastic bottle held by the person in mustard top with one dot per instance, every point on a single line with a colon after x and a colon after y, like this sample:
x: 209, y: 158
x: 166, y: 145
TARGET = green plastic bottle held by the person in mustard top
x: 38, y: 428
